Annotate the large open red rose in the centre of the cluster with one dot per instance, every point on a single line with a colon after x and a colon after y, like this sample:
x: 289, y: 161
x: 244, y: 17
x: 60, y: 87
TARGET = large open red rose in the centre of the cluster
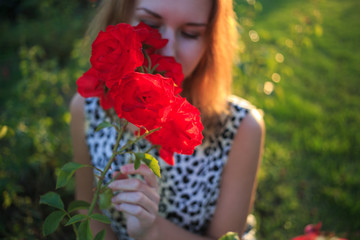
x: 143, y: 99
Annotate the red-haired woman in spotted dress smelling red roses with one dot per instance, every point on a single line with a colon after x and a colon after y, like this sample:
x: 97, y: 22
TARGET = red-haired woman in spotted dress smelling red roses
x: 210, y: 192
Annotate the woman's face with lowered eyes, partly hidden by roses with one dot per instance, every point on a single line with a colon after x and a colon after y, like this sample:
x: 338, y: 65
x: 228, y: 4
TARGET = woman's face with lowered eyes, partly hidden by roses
x: 182, y: 22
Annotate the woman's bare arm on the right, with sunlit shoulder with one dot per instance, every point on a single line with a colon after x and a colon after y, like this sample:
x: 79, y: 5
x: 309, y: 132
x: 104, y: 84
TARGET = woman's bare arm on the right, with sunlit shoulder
x: 238, y: 182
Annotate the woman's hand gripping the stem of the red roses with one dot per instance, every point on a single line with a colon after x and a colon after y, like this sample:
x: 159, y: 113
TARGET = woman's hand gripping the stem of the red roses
x: 138, y: 200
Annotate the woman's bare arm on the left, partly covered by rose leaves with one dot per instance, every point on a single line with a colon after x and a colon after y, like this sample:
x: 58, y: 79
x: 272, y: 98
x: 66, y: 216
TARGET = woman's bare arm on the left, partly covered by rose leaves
x: 84, y: 177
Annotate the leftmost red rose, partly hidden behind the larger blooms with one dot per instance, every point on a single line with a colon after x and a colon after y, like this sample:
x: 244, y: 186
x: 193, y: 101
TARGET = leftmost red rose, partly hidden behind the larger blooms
x: 91, y: 85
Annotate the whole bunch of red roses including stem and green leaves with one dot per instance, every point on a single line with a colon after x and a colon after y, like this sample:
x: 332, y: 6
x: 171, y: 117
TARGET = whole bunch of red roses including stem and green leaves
x: 144, y: 89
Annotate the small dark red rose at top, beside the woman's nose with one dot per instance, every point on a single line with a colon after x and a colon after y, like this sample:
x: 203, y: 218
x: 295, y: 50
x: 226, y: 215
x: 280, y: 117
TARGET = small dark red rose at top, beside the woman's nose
x: 150, y: 37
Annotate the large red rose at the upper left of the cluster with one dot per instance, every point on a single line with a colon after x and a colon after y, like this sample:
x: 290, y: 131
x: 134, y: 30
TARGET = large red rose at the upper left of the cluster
x: 116, y: 52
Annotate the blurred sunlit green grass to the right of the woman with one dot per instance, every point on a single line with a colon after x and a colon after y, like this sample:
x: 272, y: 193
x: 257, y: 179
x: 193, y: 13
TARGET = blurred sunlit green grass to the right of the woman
x: 310, y: 171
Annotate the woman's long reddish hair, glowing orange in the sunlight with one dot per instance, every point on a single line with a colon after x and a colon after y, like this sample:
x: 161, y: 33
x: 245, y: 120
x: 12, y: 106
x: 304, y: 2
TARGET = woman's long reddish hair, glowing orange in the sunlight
x: 210, y: 83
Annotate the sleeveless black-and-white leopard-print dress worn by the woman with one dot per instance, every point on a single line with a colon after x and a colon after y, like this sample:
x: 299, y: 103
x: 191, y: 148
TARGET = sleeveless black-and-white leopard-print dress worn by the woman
x: 188, y: 190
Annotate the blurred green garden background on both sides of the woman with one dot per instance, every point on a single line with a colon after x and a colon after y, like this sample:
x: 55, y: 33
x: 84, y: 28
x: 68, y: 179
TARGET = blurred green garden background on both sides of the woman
x: 299, y: 63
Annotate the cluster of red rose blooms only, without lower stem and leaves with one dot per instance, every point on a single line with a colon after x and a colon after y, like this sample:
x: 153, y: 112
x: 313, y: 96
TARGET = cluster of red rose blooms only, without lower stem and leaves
x: 142, y: 87
